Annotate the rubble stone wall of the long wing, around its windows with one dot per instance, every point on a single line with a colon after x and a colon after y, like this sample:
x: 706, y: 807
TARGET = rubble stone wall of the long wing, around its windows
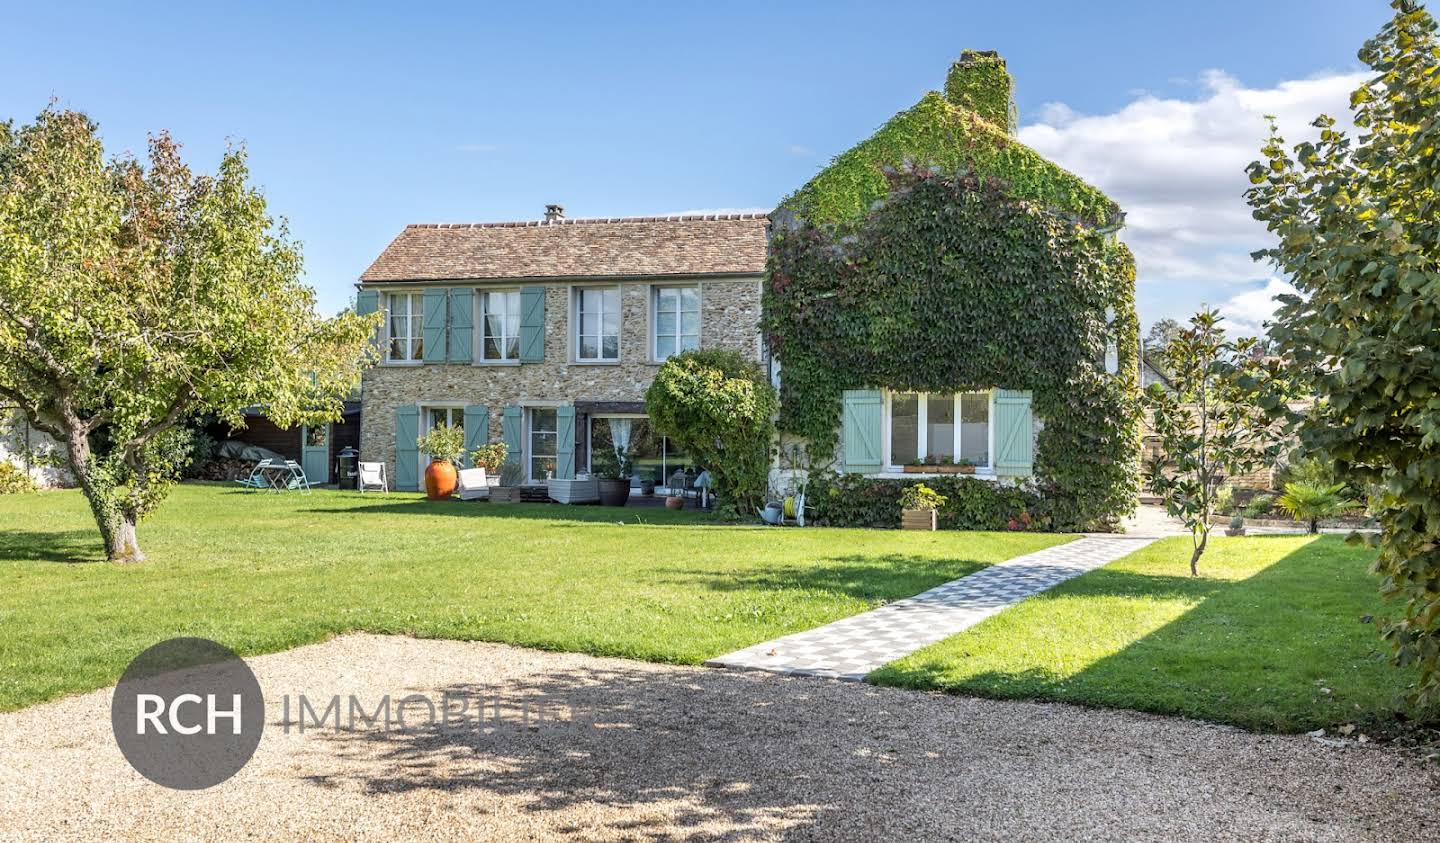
x: 729, y: 319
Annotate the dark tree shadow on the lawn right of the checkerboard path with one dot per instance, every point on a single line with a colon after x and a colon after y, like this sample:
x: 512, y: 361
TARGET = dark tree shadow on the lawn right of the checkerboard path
x: 1254, y: 652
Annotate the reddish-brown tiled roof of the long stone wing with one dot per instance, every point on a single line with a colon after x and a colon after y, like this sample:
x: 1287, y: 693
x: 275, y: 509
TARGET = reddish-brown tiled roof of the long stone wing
x: 714, y: 244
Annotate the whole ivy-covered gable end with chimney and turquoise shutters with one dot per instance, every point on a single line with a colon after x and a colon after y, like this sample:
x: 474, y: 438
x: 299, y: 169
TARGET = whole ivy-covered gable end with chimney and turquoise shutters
x: 942, y: 257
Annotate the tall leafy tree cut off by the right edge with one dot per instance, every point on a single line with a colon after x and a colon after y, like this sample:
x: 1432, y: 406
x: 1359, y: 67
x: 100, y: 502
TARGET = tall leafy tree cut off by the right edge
x: 1359, y: 231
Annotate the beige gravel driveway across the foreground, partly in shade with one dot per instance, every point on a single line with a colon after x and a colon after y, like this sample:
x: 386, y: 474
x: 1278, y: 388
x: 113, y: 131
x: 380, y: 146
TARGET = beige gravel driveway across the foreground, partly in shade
x: 680, y: 753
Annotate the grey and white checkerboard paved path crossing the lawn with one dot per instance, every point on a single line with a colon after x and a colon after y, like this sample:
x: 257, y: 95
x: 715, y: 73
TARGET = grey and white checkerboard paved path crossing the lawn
x: 855, y: 646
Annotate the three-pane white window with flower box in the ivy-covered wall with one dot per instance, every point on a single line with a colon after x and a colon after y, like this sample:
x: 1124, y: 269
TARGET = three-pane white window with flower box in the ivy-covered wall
x: 938, y: 429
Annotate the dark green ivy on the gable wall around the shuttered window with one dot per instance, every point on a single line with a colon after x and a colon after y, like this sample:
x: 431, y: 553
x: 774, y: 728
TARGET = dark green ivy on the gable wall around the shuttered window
x: 963, y: 282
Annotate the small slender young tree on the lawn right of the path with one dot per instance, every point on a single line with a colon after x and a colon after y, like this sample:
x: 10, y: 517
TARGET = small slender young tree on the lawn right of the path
x: 1210, y: 427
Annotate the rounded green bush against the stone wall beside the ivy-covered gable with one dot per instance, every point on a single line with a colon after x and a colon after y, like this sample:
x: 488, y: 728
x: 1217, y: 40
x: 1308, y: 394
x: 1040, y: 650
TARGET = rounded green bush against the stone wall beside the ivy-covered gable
x: 719, y: 409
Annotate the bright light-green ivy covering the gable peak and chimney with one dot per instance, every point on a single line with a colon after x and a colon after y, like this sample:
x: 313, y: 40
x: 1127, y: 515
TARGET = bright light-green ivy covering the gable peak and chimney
x: 966, y: 129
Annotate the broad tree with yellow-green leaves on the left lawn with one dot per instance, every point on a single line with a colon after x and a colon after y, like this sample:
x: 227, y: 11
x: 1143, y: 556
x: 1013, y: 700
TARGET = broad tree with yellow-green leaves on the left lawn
x: 138, y: 296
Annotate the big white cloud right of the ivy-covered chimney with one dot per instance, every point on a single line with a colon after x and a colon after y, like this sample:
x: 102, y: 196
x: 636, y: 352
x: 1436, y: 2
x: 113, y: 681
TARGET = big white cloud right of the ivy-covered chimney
x: 1177, y: 168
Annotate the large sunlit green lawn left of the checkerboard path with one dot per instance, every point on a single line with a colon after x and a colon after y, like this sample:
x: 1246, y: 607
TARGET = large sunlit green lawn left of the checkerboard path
x: 264, y: 573
